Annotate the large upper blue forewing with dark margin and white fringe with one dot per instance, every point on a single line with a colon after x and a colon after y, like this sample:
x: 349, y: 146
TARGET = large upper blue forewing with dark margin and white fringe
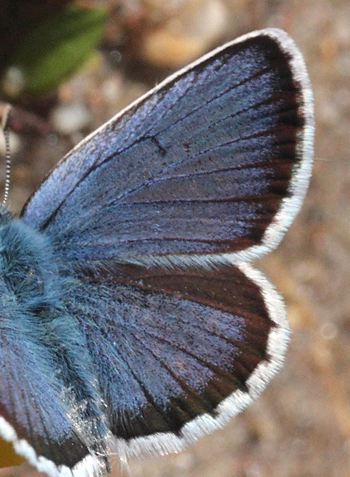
x: 216, y: 160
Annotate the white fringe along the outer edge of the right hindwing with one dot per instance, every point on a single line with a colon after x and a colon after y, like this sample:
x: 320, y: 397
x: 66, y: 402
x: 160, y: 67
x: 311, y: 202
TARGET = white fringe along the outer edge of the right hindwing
x: 163, y: 443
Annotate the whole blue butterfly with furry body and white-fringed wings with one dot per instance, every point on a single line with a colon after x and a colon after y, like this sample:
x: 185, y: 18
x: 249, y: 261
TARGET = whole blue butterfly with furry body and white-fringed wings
x: 131, y: 318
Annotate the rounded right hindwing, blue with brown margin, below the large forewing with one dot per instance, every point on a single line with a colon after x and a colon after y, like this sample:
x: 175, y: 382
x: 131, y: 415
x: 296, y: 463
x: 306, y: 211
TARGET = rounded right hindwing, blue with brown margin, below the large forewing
x: 170, y: 346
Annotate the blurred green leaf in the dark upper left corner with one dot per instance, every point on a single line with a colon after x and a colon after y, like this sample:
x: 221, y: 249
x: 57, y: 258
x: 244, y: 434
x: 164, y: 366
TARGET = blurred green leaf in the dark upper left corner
x: 57, y: 48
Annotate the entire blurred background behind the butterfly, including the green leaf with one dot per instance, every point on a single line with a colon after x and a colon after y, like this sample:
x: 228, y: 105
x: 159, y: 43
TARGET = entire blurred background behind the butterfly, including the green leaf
x: 115, y: 51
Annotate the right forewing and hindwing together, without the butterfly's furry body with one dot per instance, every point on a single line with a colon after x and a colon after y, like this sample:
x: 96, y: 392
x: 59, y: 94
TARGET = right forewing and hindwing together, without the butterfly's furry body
x: 156, y: 214
